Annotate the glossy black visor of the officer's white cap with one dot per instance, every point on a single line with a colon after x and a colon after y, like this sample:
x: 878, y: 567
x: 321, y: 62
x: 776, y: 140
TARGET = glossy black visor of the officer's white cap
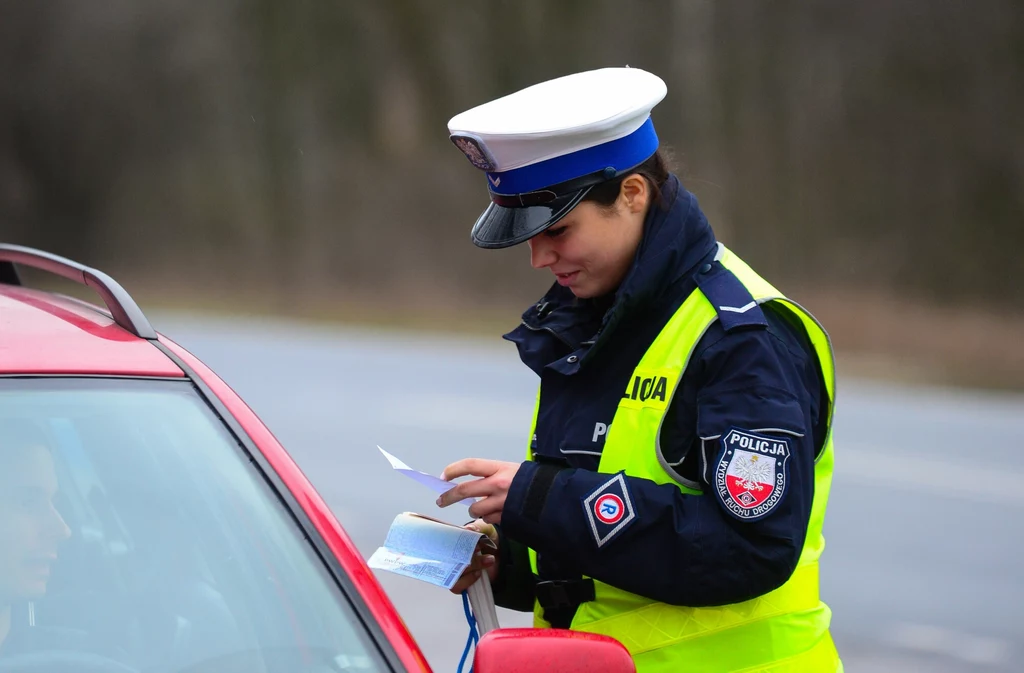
x: 504, y: 225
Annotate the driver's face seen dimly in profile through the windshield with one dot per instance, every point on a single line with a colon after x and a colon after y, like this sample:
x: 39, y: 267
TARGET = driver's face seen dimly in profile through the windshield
x: 30, y: 527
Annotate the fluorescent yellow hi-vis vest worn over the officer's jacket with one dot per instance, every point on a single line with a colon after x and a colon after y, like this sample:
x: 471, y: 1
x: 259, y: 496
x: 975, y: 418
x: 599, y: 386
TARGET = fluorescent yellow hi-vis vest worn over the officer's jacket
x: 784, y: 632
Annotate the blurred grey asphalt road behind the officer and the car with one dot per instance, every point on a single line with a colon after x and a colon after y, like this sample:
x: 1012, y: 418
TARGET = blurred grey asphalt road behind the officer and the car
x: 923, y: 567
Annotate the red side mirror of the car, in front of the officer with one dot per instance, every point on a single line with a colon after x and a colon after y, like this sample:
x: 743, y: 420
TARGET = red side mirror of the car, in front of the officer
x: 538, y: 651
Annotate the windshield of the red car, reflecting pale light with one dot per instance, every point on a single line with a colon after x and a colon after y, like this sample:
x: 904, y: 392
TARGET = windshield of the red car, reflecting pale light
x: 135, y: 531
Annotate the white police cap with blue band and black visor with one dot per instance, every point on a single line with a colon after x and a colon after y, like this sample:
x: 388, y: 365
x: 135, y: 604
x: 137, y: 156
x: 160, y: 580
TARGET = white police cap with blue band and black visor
x: 545, y: 147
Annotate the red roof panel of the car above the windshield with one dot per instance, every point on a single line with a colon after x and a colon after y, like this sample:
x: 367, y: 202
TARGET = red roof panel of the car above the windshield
x: 47, y: 333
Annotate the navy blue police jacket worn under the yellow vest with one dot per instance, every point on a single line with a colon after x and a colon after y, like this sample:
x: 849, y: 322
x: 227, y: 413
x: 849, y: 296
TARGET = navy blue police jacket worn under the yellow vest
x: 754, y: 371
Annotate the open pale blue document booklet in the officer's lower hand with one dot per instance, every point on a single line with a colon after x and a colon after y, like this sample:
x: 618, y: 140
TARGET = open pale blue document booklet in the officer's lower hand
x: 428, y: 550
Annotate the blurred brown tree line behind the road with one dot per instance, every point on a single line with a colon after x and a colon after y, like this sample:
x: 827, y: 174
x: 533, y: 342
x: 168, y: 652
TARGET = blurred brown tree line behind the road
x: 258, y: 144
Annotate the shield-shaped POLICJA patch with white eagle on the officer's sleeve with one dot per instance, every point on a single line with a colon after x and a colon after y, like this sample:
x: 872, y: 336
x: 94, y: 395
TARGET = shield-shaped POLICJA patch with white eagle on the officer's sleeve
x: 751, y: 474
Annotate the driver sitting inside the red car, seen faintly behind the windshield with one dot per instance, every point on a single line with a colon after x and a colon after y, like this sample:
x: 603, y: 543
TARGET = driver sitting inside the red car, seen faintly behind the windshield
x: 31, y: 533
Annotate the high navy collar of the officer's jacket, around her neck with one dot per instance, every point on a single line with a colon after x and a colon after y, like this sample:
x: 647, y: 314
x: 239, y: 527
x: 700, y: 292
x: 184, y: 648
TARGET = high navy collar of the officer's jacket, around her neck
x: 677, y: 239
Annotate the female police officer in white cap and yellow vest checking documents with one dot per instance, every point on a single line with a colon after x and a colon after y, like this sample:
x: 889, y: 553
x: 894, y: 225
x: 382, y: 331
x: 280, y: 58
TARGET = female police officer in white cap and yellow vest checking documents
x: 681, y: 453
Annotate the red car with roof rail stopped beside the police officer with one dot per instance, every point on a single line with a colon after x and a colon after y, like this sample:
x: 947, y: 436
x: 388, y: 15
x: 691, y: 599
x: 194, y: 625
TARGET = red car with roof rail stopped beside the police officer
x: 150, y: 522
